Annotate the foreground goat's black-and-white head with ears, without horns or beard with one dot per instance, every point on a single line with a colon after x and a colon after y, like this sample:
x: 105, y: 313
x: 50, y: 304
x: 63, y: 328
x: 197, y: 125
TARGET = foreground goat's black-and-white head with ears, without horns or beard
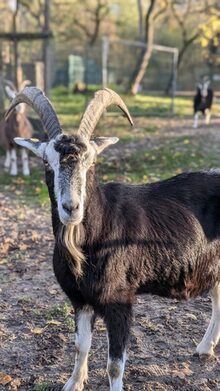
x: 69, y: 158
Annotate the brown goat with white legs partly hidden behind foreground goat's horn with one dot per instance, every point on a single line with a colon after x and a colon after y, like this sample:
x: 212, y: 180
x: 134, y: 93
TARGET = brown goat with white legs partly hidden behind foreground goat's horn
x: 17, y: 125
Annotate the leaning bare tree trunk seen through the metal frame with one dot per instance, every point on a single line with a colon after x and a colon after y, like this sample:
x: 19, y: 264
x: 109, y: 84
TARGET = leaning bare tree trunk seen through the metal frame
x: 145, y: 55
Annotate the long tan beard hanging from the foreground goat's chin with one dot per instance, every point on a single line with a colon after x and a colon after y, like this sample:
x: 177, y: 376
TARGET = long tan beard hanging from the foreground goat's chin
x: 72, y: 237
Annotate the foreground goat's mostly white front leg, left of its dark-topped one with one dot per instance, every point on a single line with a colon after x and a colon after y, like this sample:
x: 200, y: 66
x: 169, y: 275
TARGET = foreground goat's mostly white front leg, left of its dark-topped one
x: 84, y: 324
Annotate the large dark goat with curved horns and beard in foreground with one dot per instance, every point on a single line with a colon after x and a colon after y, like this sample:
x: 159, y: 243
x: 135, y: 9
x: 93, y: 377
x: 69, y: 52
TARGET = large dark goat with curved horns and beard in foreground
x: 117, y: 240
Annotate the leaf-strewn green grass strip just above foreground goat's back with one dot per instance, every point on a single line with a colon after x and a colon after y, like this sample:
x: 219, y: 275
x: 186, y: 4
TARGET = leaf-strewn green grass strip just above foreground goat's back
x: 175, y: 156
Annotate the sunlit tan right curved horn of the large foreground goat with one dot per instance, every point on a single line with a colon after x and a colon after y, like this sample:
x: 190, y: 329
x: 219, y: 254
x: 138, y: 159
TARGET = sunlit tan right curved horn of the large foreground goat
x: 100, y: 102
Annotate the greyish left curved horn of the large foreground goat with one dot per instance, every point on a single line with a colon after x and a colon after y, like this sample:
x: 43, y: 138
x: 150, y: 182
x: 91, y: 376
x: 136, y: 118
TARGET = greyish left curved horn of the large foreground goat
x: 35, y: 98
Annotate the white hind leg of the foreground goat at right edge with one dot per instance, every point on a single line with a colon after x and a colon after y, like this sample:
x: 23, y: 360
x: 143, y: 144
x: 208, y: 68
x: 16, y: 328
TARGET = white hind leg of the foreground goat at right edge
x: 212, y: 334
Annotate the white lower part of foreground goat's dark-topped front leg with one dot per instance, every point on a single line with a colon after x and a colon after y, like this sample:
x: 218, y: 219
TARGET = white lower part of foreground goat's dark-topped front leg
x: 115, y: 373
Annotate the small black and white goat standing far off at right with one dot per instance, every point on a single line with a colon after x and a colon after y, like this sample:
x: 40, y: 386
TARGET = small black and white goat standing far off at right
x: 203, y: 102
